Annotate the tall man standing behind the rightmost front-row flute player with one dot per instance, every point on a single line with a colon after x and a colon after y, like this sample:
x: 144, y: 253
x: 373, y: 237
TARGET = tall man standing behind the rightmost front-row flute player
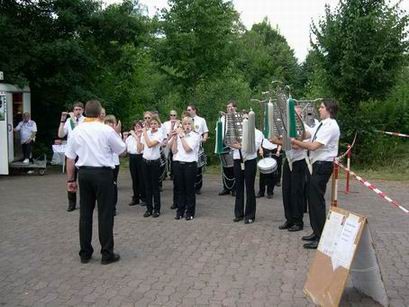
x: 200, y: 126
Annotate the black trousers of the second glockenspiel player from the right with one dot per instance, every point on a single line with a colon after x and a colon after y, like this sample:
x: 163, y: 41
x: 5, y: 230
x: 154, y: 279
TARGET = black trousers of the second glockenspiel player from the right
x: 293, y: 191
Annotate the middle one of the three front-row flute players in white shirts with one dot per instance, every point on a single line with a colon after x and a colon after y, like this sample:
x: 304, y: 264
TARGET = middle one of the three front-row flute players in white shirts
x: 150, y: 145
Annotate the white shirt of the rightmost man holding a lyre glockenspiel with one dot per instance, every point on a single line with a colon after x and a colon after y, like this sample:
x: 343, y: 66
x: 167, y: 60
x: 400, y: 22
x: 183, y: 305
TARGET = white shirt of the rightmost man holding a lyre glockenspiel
x: 327, y: 135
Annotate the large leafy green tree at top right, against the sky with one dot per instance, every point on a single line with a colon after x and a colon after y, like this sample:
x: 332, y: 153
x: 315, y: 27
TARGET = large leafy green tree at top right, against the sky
x: 361, y: 47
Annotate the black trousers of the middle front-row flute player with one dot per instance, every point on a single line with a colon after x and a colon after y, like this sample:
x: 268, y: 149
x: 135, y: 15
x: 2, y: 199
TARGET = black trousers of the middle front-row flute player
x: 151, y: 171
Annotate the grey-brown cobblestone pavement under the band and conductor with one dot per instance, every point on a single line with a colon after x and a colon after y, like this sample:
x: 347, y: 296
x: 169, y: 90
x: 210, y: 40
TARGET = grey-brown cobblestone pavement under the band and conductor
x: 209, y: 261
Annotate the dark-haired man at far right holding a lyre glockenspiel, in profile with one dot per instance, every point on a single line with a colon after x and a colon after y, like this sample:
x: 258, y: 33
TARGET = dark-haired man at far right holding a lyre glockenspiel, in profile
x: 323, y: 149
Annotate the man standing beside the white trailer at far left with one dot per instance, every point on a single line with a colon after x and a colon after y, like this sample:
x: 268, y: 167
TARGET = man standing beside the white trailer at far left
x: 28, y: 130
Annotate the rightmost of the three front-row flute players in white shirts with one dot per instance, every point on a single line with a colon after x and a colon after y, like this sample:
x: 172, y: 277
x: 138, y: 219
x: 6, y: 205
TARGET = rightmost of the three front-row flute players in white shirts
x: 184, y: 144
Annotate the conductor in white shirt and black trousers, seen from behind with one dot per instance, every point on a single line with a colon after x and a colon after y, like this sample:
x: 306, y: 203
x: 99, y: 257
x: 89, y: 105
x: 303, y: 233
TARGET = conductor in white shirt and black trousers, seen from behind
x: 94, y: 144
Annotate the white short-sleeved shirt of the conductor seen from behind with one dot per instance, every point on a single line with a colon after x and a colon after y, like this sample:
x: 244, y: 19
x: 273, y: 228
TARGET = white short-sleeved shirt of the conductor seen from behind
x: 94, y: 143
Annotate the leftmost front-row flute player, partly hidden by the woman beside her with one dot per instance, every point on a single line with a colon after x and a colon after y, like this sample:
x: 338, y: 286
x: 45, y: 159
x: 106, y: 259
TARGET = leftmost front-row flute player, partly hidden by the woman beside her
x: 135, y: 164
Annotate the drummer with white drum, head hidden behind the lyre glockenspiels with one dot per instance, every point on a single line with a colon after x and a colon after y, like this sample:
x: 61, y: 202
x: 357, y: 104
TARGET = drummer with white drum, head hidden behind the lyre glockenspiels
x: 269, y: 150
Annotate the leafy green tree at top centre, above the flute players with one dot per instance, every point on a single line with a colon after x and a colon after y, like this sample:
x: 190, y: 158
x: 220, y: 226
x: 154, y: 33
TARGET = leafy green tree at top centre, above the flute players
x: 197, y: 40
